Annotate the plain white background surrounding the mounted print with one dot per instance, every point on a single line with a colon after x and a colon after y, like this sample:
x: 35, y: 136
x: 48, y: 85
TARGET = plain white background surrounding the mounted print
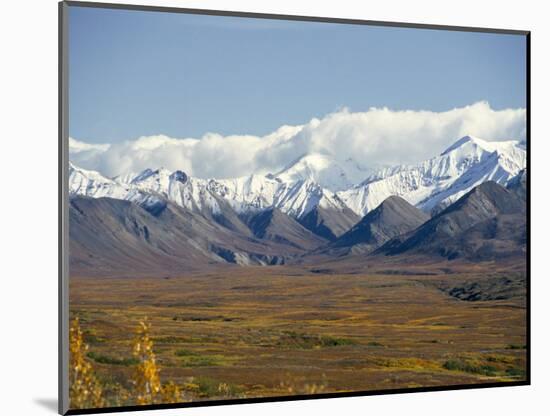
x: 28, y: 205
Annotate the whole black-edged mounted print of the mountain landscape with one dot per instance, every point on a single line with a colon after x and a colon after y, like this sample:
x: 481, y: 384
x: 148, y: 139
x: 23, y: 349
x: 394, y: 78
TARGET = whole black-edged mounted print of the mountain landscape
x: 265, y: 207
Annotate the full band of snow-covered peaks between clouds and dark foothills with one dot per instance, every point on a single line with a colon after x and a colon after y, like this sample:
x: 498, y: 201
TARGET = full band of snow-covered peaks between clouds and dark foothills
x: 316, y: 180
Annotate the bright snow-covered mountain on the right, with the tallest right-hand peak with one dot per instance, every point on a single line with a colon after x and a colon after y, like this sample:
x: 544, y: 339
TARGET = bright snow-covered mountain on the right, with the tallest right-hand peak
x: 439, y: 181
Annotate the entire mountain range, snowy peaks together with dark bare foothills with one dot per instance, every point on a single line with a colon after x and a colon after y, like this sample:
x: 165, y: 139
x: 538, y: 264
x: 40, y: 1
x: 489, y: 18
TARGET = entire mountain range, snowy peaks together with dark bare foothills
x: 467, y: 202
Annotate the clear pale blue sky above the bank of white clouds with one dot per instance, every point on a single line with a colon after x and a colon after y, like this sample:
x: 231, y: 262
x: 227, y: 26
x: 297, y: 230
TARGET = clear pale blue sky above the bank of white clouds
x: 136, y: 73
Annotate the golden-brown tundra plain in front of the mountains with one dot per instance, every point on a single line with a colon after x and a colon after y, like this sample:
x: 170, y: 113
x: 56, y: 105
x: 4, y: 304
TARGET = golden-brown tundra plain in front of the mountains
x: 259, y: 332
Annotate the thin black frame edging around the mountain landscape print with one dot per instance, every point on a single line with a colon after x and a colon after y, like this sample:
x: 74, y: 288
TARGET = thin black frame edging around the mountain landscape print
x: 63, y: 236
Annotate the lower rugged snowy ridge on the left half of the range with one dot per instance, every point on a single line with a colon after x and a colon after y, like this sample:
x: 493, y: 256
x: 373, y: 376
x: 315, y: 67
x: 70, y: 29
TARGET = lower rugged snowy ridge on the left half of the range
x: 246, y: 194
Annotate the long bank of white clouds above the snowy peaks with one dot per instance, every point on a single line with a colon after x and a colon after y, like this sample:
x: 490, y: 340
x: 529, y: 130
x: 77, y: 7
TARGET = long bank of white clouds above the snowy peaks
x: 374, y: 138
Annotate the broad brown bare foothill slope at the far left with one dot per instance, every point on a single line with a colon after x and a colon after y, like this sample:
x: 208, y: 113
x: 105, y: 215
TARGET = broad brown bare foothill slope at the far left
x: 111, y: 237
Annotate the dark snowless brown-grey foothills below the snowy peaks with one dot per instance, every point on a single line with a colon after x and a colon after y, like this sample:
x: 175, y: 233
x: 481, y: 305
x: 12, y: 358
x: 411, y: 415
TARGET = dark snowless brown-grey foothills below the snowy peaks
x: 110, y: 236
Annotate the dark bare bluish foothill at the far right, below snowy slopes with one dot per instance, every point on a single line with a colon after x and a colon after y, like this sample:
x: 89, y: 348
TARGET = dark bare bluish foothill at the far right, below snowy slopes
x: 488, y: 222
